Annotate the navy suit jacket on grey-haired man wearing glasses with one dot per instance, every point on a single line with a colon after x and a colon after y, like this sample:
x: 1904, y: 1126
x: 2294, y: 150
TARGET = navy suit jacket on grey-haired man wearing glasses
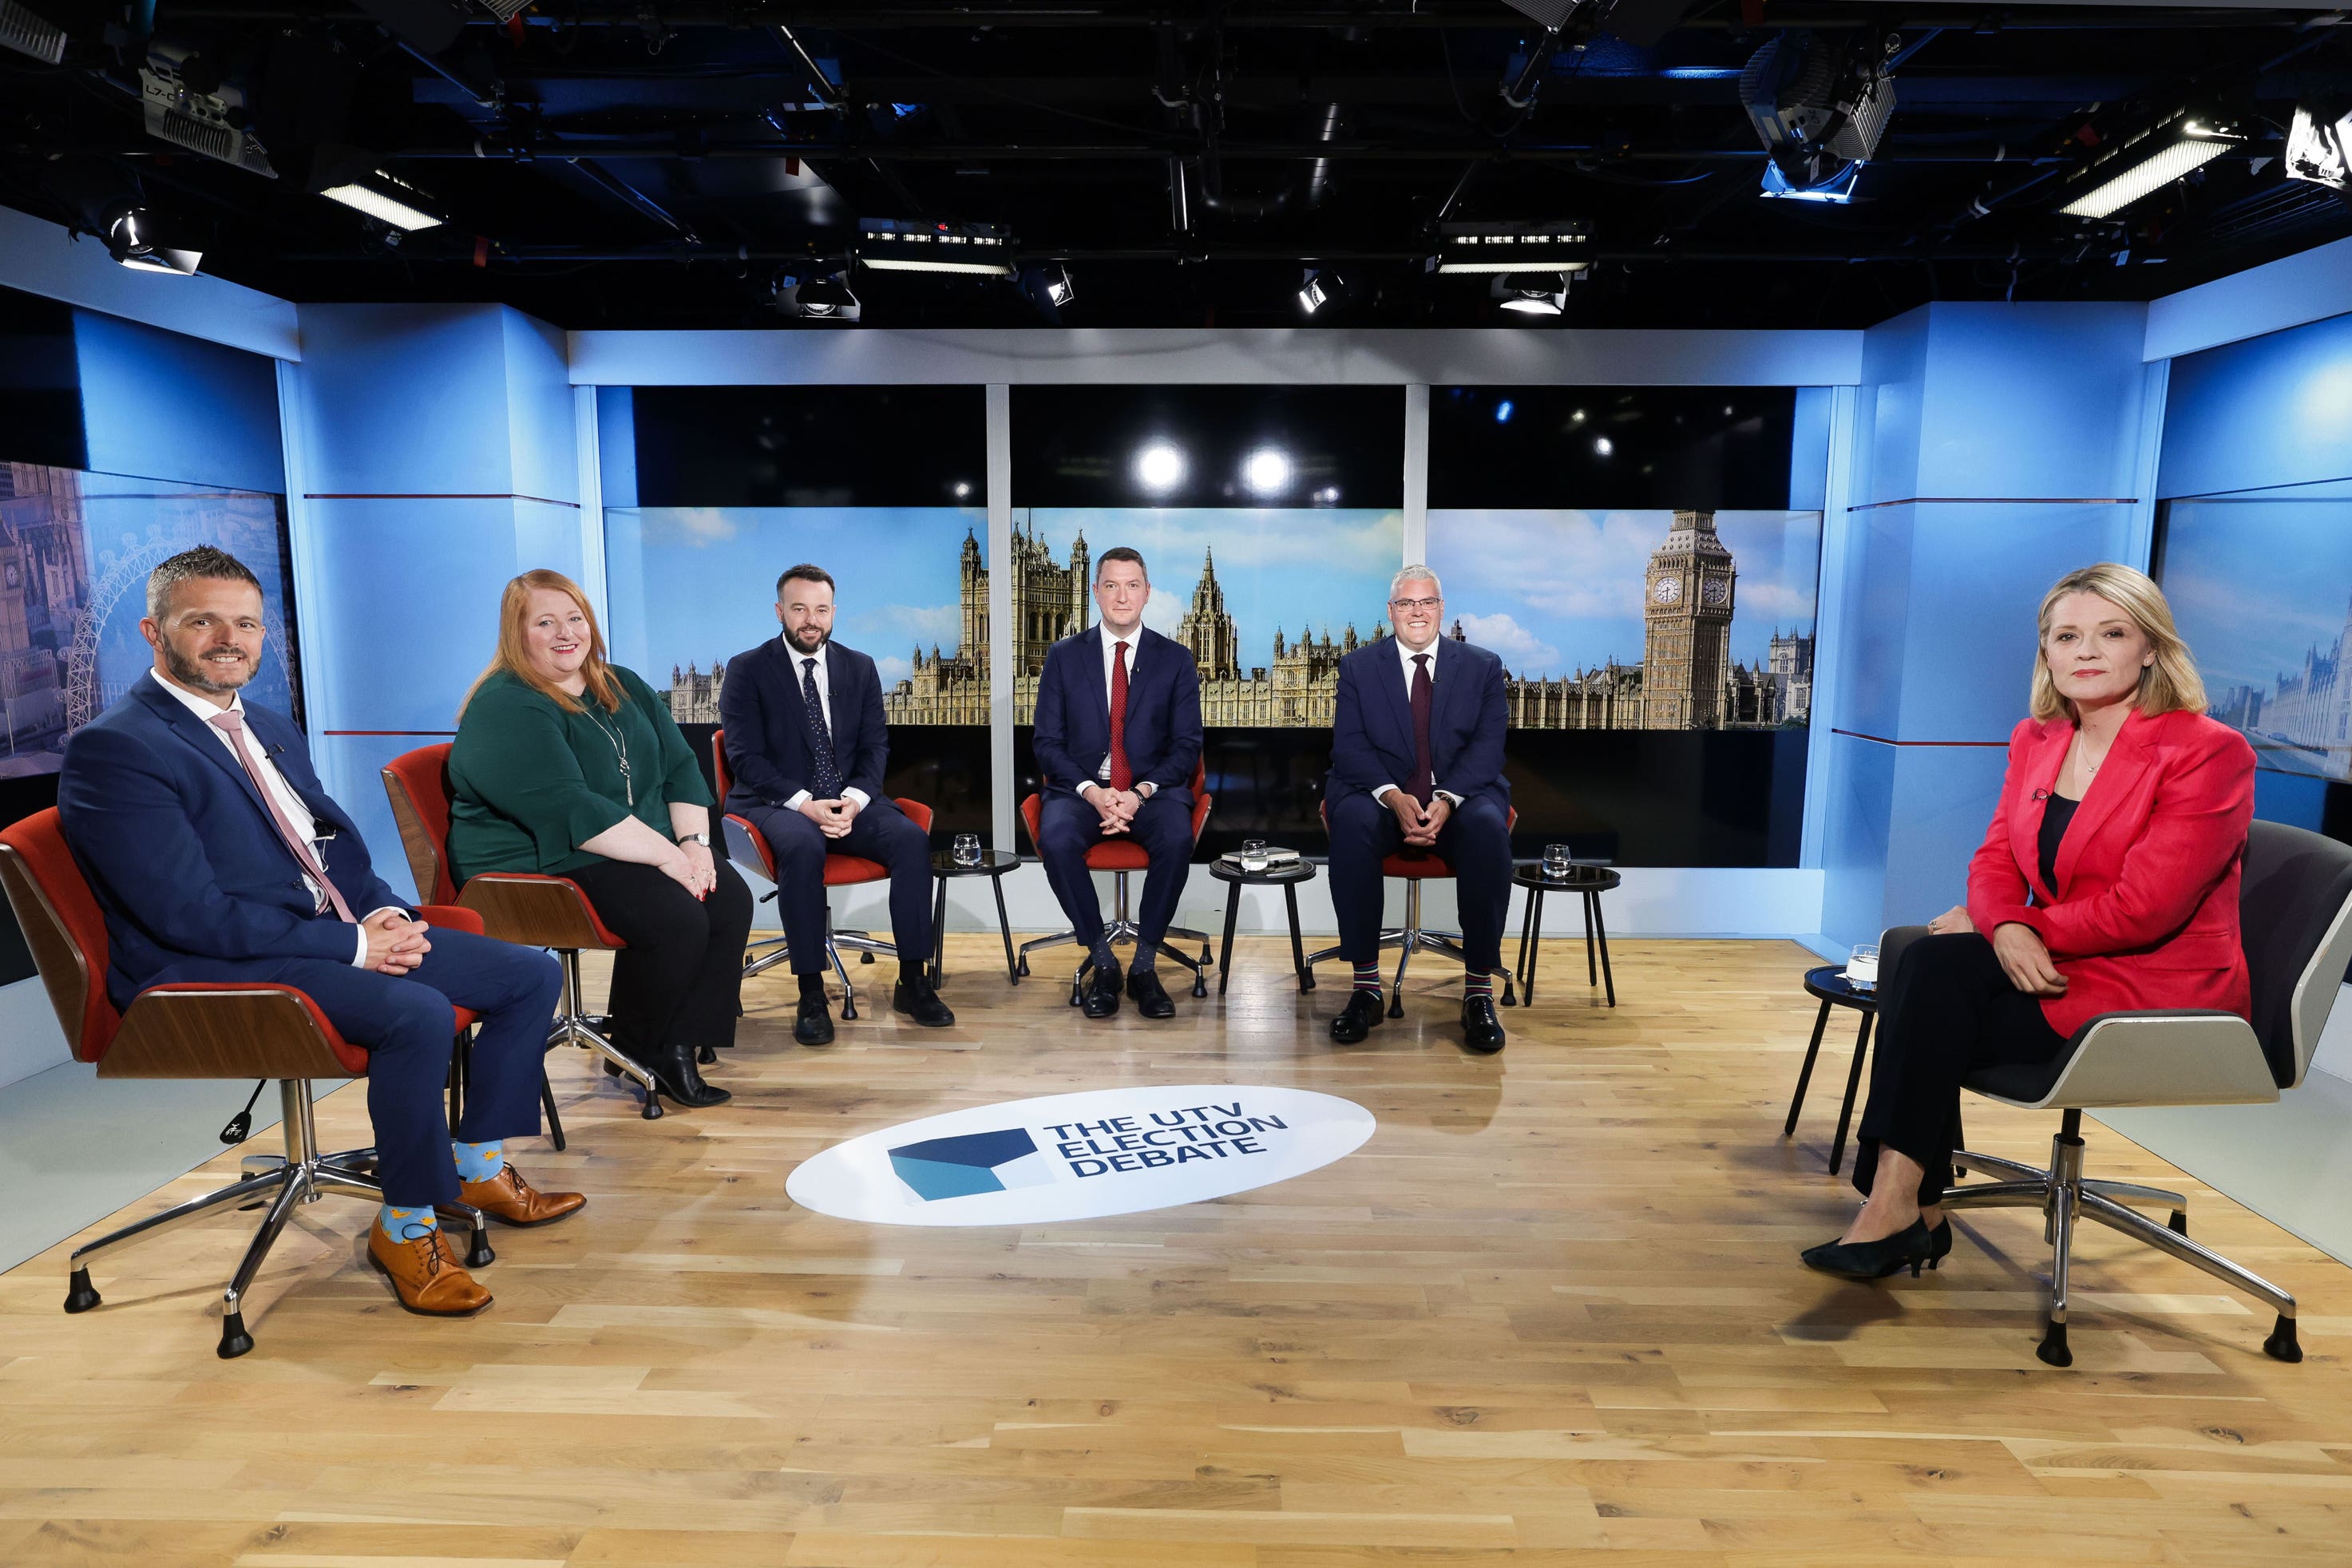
x: 1372, y: 730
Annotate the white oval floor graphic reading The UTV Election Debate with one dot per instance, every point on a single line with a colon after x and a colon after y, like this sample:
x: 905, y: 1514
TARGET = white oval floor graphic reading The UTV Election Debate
x: 1083, y: 1155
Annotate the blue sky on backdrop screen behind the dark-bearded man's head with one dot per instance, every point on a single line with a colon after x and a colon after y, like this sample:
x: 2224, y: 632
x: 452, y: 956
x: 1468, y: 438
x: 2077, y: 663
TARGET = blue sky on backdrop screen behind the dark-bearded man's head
x: 700, y: 582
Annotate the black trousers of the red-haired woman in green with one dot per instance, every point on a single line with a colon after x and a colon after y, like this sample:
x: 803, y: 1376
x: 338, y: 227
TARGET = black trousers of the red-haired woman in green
x: 681, y: 979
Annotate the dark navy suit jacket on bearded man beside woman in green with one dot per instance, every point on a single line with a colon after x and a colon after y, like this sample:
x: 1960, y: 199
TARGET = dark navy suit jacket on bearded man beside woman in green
x: 768, y: 730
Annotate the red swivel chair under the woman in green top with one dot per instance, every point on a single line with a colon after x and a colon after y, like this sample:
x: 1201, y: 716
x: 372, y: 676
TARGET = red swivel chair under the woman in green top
x: 523, y: 909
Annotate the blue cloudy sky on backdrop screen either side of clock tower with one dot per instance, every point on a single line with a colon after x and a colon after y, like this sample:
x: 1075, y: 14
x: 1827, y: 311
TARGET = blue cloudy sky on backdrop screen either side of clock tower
x: 1556, y: 591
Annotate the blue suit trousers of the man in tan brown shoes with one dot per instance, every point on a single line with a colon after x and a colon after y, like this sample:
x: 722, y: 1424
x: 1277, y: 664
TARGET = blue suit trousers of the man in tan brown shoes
x: 408, y: 1031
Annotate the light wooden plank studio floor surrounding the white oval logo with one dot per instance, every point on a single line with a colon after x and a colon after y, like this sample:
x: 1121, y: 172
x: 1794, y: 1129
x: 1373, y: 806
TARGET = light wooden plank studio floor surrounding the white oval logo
x: 1551, y: 1311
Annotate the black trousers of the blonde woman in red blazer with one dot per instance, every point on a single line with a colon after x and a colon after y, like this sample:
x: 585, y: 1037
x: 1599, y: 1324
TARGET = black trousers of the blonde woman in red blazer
x: 1946, y: 1012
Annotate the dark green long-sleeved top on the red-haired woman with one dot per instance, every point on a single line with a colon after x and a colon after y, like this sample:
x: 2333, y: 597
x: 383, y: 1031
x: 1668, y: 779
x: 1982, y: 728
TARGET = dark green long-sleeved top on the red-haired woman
x: 530, y: 784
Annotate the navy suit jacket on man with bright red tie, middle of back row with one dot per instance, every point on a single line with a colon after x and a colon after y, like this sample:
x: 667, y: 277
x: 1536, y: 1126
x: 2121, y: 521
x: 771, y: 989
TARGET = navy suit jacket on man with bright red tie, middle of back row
x: 1163, y: 711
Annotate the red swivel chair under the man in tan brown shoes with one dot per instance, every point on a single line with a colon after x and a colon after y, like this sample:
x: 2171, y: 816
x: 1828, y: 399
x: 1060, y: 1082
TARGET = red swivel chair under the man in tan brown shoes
x: 199, y: 1031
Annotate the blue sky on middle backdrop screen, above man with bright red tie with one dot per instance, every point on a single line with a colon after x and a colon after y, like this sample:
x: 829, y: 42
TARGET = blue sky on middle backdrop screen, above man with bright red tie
x: 1281, y: 568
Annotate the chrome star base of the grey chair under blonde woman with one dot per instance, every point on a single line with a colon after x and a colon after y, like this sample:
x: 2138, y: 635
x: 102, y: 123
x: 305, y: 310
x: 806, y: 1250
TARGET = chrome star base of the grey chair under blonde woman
x: 2066, y: 1198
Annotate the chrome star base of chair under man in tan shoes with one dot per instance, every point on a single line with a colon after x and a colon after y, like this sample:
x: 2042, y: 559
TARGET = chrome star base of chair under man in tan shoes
x: 281, y: 1181
